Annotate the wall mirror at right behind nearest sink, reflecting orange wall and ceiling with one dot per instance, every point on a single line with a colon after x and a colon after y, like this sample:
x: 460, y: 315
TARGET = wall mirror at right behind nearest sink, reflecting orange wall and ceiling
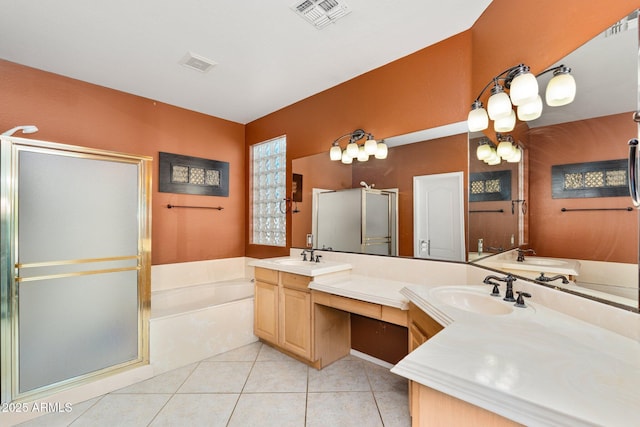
x: 576, y: 200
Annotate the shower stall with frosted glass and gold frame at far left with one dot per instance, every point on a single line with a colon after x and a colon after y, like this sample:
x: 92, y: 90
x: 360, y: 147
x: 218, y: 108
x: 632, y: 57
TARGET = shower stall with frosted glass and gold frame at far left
x: 75, y: 265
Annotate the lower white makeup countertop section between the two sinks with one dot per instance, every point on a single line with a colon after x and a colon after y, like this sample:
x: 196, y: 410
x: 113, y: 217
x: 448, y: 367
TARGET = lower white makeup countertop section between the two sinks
x: 364, y: 288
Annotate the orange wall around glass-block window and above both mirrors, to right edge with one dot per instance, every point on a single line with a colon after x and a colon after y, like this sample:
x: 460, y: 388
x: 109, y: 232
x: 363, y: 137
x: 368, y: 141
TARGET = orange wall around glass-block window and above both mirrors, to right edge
x: 436, y: 85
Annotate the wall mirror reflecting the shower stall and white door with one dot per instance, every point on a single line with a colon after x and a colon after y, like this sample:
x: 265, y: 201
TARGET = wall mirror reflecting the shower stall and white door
x: 423, y: 154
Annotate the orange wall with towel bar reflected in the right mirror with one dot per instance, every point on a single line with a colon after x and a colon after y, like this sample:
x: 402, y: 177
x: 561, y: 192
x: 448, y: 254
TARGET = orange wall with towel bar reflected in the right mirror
x: 591, y: 235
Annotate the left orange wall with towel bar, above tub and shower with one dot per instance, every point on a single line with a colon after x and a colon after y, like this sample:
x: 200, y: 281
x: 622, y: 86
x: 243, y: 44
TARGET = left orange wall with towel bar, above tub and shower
x: 73, y: 112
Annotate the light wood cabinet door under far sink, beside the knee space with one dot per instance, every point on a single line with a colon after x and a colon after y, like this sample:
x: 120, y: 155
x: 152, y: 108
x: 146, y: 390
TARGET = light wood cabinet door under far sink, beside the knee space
x: 295, y: 317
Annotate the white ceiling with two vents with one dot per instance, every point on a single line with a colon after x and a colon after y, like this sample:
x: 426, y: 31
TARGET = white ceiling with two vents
x: 268, y: 57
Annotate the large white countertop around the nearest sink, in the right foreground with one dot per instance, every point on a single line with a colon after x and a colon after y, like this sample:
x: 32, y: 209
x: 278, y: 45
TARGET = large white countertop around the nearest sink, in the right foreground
x: 536, y: 367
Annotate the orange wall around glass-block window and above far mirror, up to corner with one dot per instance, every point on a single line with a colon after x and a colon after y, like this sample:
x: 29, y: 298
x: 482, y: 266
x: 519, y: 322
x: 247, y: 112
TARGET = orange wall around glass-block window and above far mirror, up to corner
x: 391, y: 100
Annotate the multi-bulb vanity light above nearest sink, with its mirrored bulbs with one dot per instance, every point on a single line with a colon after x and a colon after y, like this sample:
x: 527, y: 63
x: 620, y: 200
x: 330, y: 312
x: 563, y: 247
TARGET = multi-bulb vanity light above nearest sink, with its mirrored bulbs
x: 523, y: 94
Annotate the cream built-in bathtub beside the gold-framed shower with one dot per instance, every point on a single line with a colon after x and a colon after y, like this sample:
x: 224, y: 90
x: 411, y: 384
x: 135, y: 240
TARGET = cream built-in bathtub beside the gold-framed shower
x: 192, y: 323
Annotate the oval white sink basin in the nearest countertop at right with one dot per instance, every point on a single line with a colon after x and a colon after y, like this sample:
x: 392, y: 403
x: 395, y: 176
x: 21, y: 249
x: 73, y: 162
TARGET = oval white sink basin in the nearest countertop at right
x: 473, y: 300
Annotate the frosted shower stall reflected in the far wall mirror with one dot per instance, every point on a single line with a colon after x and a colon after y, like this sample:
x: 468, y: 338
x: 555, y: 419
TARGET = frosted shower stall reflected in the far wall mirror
x: 361, y: 220
